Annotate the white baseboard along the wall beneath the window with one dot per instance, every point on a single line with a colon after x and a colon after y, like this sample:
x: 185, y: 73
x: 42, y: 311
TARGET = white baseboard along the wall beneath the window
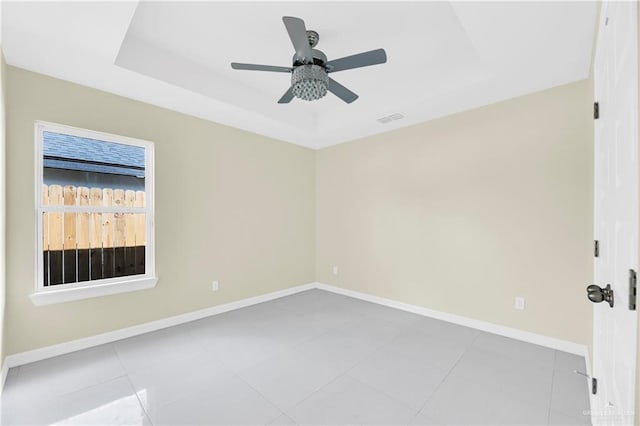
x: 112, y: 336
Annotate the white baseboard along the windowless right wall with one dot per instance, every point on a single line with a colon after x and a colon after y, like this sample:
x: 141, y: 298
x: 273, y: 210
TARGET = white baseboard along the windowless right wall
x: 514, y: 333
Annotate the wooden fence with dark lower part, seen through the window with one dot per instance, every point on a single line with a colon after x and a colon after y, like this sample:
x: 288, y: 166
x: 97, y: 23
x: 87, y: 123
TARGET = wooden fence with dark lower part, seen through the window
x: 83, y: 246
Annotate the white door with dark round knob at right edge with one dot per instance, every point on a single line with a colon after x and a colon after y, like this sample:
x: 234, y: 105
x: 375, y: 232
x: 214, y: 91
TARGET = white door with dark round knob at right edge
x: 616, y: 211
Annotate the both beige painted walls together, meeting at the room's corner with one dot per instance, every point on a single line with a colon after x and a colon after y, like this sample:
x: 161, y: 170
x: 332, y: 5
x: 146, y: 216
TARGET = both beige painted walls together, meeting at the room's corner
x: 438, y: 214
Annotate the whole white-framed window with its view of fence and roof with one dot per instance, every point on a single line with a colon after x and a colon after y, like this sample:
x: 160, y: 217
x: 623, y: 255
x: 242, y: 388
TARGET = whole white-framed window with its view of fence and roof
x: 94, y: 201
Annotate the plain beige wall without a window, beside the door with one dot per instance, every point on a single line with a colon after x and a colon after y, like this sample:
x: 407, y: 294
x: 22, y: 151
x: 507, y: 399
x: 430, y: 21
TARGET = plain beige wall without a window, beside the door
x: 463, y: 213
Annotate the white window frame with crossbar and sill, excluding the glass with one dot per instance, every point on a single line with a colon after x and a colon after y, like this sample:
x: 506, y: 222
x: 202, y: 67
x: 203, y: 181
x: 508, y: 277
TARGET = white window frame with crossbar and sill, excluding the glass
x: 102, y: 287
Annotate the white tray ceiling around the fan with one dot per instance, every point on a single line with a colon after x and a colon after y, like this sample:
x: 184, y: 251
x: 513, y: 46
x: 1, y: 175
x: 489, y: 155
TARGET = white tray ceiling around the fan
x: 443, y: 57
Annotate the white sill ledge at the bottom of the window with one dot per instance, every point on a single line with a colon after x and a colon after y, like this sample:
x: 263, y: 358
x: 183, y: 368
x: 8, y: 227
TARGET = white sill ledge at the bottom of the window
x: 49, y: 297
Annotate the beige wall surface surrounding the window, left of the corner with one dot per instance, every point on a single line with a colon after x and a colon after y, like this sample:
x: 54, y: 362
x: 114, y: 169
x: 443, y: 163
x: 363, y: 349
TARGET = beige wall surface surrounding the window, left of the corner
x: 230, y: 205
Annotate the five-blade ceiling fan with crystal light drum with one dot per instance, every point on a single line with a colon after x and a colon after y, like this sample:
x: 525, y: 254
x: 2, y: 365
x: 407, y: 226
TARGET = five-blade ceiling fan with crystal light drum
x: 309, y: 72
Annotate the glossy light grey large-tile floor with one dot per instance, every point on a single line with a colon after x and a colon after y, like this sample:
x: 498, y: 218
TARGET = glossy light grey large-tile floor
x: 311, y: 358
